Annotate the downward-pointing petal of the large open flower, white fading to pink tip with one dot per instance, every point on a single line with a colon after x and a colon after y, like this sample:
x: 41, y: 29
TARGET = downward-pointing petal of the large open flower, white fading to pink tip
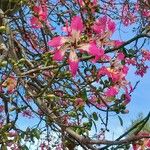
x: 73, y: 63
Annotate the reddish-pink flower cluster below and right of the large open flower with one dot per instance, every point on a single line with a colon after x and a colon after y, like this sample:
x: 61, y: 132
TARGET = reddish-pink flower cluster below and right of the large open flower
x: 116, y: 73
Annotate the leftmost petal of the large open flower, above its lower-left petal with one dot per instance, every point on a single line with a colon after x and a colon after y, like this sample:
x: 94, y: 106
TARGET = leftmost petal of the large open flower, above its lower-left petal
x: 56, y: 41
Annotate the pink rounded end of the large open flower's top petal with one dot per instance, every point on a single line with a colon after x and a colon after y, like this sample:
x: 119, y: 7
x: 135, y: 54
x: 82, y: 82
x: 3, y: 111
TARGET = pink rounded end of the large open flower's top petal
x: 76, y: 23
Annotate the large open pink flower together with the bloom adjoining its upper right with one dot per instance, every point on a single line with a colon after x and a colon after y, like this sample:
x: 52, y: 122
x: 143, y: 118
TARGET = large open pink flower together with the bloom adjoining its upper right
x: 102, y: 29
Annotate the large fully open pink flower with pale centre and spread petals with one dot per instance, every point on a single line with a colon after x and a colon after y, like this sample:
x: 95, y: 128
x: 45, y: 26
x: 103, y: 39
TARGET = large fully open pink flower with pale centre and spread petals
x: 70, y: 42
